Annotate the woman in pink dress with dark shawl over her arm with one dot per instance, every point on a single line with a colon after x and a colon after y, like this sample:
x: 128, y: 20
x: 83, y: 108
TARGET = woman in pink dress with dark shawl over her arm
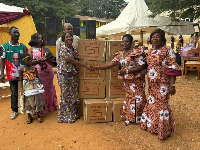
x: 43, y: 61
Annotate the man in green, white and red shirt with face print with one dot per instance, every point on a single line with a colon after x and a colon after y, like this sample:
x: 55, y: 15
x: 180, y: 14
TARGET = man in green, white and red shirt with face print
x: 11, y: 52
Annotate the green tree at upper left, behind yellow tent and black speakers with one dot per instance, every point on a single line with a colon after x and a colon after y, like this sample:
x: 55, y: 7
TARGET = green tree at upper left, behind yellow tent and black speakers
x: 57, y: 9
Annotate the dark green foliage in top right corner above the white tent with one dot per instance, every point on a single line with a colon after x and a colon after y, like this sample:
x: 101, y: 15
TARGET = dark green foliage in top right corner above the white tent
x: 176, y: 8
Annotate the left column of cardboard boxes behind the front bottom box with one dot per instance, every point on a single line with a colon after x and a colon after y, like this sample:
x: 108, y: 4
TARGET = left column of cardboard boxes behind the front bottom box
x: 92, y: 84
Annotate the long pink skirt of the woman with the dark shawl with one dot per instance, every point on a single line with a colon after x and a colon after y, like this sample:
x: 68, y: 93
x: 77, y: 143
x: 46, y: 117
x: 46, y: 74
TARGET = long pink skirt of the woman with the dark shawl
x: 50, y: 97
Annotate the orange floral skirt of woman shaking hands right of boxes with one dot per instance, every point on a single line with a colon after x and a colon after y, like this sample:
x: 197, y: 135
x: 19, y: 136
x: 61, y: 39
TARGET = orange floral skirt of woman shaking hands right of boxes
x: 135, y: 100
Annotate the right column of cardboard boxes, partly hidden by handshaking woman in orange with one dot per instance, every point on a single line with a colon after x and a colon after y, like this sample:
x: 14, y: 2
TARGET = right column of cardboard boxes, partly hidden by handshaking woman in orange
x: 114, y: 87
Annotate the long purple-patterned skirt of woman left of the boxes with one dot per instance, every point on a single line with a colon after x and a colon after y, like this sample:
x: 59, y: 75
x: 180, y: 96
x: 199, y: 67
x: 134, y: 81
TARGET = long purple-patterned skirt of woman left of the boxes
x: 69, y: 98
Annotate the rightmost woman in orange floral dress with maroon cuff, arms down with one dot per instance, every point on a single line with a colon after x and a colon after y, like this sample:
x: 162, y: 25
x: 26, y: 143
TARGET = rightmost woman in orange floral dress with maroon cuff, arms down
x: 162, y: 70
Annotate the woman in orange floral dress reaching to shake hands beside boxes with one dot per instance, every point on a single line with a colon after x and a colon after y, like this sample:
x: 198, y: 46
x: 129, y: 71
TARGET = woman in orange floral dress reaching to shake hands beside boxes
x: 132, y: 62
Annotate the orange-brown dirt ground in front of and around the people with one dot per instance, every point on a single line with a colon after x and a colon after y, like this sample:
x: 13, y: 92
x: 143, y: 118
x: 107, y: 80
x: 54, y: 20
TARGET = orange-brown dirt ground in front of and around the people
x: 17, y: 135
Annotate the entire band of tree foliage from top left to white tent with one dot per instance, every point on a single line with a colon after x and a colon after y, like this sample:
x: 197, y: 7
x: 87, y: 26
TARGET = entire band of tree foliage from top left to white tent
x: 59, y: 9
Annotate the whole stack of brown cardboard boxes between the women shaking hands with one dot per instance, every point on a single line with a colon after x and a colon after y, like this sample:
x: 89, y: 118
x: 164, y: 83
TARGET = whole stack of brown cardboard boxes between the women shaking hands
x: 99, y: 89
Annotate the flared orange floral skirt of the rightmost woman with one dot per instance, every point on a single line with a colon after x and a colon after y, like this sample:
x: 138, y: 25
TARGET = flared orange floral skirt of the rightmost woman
x: 157, y: 116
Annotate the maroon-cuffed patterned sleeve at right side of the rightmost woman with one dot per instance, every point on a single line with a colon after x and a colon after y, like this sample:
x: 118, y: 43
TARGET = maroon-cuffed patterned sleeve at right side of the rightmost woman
x: 173, y: 69
